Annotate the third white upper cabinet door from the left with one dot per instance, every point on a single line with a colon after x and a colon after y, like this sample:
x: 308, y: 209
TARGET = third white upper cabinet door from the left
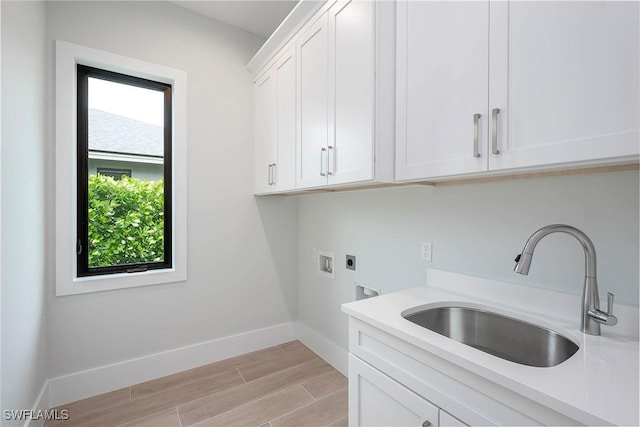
x: 312, y: 105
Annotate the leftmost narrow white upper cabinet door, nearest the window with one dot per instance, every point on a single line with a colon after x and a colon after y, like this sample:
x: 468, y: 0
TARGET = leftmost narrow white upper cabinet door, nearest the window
x: 265, y: 133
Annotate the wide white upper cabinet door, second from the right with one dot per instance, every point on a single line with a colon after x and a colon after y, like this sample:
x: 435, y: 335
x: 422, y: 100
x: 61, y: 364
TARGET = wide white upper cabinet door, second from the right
x: 442, y: 80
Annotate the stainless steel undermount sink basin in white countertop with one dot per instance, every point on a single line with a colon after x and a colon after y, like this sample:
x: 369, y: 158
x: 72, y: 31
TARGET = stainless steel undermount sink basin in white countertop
x: 501, y: 336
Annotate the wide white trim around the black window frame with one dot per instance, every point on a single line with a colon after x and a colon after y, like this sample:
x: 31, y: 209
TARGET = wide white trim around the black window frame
x: 67, y: 282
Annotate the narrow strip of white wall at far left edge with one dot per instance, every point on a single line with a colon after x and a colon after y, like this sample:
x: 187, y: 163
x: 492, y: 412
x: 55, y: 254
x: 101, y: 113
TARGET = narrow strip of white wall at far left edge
x: 25, y: 278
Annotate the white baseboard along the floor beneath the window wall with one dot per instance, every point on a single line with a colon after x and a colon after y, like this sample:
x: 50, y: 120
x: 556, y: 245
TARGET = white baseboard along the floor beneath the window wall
x: 80, y: 385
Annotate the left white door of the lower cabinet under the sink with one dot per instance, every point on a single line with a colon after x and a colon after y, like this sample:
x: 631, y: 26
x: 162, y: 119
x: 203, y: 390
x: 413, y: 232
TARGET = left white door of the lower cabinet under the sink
x: 377, y: 400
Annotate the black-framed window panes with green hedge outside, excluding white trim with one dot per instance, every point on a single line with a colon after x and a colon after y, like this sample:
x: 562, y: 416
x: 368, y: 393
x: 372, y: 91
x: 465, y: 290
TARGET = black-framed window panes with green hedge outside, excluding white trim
x: 123, y: 225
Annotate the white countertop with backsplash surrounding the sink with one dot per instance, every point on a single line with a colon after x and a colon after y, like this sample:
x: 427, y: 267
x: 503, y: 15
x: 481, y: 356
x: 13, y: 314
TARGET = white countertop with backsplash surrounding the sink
x: 597, y: 385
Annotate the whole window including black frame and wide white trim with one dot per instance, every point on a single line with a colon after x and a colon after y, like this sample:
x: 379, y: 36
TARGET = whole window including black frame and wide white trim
x: 120, y: 127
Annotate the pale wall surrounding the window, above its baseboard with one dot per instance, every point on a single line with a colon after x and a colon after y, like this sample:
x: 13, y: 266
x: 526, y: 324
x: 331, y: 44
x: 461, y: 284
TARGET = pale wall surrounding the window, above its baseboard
x: 241, y: 266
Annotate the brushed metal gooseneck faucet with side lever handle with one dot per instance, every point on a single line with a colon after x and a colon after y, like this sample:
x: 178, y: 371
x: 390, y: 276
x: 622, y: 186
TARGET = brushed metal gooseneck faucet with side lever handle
x: 592, y: 317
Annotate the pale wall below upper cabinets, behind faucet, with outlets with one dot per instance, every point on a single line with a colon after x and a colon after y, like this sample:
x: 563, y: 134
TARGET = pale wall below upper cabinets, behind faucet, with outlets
x: 475, y: 229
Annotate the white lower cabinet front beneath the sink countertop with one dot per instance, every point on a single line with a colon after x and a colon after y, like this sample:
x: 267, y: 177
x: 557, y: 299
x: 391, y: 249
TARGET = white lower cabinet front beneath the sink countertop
x: 394, y: 383
